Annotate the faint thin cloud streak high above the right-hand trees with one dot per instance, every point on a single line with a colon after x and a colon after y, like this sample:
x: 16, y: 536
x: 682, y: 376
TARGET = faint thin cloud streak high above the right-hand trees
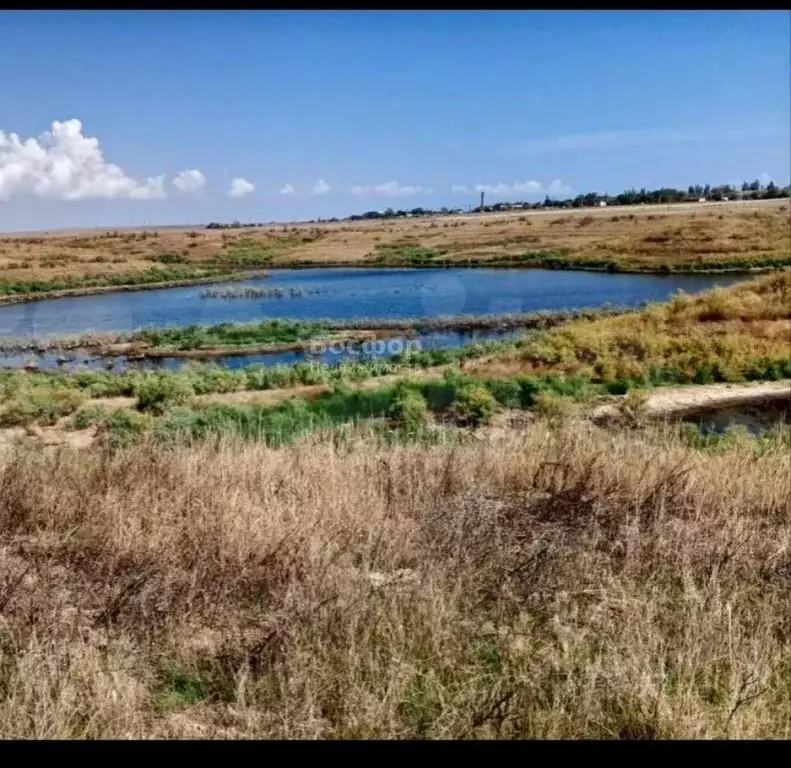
x: 638, y: 137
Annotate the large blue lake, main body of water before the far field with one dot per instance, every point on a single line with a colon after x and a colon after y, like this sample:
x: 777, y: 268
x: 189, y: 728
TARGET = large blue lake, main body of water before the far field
x: 348, y: 294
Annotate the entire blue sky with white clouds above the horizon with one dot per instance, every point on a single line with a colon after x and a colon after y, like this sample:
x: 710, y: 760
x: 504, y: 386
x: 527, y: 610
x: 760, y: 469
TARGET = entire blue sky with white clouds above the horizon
x: 360, y: 110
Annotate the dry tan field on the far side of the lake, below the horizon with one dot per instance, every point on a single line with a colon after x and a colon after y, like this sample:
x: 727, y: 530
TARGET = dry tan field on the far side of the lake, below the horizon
x: 641, y: 237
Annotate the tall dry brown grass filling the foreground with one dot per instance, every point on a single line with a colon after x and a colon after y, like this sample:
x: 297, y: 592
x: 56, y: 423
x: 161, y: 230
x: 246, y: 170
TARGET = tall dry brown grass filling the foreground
x: 560, y: 582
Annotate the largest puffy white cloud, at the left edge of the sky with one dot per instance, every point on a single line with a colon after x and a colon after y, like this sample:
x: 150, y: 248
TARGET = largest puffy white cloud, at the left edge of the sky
x: 63, y: 164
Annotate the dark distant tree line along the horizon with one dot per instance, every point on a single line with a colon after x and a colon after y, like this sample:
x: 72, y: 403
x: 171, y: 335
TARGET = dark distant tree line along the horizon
x: 749, y: 190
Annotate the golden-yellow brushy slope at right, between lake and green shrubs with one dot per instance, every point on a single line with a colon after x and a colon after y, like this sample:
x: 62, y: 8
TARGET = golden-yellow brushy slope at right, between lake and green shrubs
x: 730, y: 328
